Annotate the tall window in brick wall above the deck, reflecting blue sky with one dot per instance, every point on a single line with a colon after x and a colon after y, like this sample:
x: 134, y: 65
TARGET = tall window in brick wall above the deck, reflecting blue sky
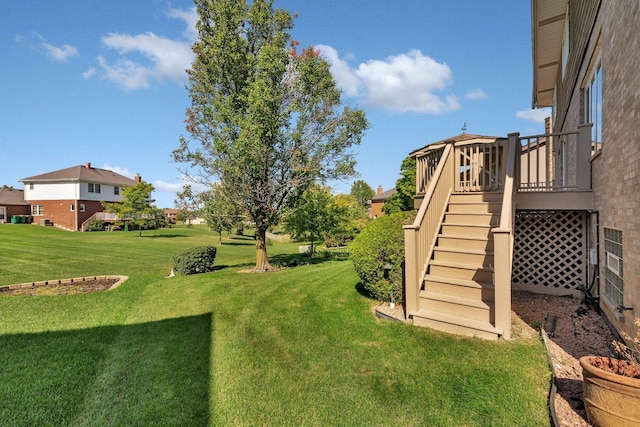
x: 592, y: 101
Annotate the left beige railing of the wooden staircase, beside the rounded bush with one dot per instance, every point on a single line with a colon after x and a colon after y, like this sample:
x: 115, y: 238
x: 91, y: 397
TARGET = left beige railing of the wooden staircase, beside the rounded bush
x: 420, y: 237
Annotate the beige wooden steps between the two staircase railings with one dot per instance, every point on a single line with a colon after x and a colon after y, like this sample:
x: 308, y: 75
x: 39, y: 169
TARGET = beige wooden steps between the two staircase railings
x: 457, y: 293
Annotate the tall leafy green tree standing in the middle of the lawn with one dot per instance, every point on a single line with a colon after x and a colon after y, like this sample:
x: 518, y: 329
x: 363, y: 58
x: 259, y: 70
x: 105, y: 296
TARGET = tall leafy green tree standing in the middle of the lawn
x: 265, y: 121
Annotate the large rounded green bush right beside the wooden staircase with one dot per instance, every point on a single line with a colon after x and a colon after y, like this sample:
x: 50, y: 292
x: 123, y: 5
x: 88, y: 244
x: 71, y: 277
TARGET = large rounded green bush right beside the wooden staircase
x: 381, y: 242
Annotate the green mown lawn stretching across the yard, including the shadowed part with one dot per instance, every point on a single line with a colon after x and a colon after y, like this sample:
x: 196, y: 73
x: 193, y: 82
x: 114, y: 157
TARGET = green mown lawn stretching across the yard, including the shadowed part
x: 294, y: 347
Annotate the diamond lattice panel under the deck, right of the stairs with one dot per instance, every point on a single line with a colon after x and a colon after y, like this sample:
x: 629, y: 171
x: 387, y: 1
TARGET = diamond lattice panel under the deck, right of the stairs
x: 550, y: 251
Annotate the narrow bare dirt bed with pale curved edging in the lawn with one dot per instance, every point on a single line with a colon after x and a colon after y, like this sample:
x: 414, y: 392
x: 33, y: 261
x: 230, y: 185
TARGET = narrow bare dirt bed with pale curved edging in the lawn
x: 82, y: 285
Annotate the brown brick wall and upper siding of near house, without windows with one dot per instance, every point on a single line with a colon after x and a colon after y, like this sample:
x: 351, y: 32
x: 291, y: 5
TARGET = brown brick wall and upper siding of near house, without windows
x: 615, y: 172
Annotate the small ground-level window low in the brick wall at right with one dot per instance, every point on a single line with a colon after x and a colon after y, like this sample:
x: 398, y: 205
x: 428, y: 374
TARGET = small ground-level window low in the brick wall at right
x: 613, y: 274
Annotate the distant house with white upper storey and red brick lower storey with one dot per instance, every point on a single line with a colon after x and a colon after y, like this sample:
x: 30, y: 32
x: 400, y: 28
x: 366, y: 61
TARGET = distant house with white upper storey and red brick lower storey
x: 69, y: 197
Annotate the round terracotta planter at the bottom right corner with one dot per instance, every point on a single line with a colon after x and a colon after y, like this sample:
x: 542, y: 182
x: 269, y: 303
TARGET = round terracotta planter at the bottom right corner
x: 610, y: 399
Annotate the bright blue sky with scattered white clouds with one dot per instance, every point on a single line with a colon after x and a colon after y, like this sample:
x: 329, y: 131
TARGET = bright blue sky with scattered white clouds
x: 104, y: 81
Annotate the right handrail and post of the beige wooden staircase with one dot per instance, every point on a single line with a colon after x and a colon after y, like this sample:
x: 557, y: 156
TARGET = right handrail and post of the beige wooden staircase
x: 503, y: 244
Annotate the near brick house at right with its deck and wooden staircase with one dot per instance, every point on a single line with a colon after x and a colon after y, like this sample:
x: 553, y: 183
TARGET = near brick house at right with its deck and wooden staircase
x: 556, y: 213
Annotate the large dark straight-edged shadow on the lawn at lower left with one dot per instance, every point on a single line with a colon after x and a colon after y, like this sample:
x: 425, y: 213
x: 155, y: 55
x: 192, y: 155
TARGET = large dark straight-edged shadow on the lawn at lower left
x: 154, y: 373
